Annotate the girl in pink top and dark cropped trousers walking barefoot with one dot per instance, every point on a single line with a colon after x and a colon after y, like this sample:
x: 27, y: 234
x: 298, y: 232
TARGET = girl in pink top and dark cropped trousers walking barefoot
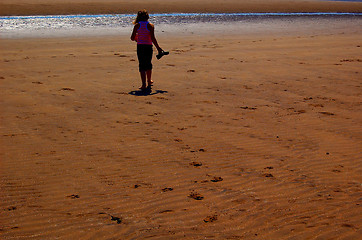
x: 144, y: 34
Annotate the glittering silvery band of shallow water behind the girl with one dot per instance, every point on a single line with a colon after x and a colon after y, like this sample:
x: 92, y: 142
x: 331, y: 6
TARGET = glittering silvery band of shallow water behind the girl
x: 176, y: 23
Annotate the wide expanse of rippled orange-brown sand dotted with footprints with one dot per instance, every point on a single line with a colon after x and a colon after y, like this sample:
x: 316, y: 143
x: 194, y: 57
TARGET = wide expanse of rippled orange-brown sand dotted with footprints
x: 243, y: 136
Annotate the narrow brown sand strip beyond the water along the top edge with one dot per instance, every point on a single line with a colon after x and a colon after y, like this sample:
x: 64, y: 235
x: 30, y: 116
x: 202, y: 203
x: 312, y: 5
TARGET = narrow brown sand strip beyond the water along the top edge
x: 43, y: 7
